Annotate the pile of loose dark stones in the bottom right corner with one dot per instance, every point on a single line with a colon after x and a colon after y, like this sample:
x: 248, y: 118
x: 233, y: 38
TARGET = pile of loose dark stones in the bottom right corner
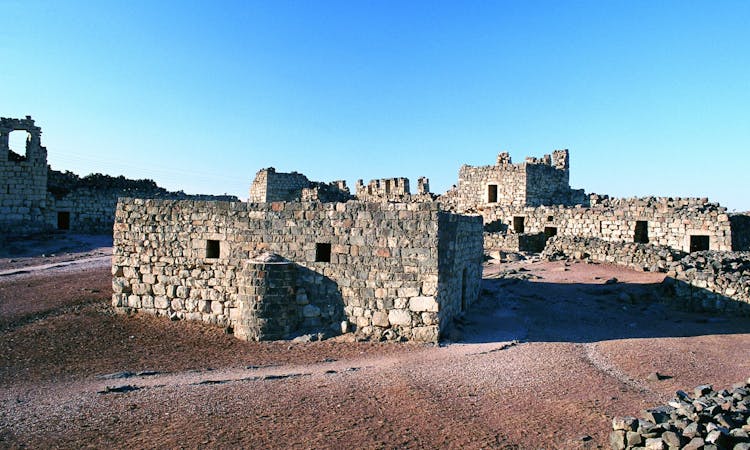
x: 709, y: 420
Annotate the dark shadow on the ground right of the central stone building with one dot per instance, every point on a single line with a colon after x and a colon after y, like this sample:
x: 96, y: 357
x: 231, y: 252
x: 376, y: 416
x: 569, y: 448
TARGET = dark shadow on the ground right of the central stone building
x: 514, y: 309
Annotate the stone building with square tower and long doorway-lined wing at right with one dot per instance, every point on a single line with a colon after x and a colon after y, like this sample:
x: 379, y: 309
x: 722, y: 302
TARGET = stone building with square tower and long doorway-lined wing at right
x: 524, y: 204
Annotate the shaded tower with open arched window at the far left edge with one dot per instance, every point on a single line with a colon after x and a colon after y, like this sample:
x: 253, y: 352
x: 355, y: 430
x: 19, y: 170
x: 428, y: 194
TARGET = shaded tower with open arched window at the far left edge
x: 23, y: 179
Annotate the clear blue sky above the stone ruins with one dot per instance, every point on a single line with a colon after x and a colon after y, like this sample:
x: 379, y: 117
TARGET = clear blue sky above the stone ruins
x: 651, y: 97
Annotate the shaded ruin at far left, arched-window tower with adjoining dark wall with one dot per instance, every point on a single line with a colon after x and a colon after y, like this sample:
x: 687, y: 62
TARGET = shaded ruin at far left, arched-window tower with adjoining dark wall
x: 34, y: 198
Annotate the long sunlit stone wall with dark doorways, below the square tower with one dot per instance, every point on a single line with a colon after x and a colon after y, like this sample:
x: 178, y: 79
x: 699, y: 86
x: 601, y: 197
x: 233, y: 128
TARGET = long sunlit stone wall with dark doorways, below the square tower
x: 677, y: 223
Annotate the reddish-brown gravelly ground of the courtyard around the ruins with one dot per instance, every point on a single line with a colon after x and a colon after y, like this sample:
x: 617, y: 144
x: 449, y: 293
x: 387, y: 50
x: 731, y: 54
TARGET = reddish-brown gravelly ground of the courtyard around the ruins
x: 545, y: 360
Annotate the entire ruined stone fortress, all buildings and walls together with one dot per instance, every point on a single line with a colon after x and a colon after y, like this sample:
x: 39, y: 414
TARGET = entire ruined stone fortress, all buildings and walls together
x: 303, y: 257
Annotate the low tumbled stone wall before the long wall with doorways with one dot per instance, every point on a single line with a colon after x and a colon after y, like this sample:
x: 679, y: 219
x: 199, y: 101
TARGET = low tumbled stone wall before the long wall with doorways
x: 643, y: 257
